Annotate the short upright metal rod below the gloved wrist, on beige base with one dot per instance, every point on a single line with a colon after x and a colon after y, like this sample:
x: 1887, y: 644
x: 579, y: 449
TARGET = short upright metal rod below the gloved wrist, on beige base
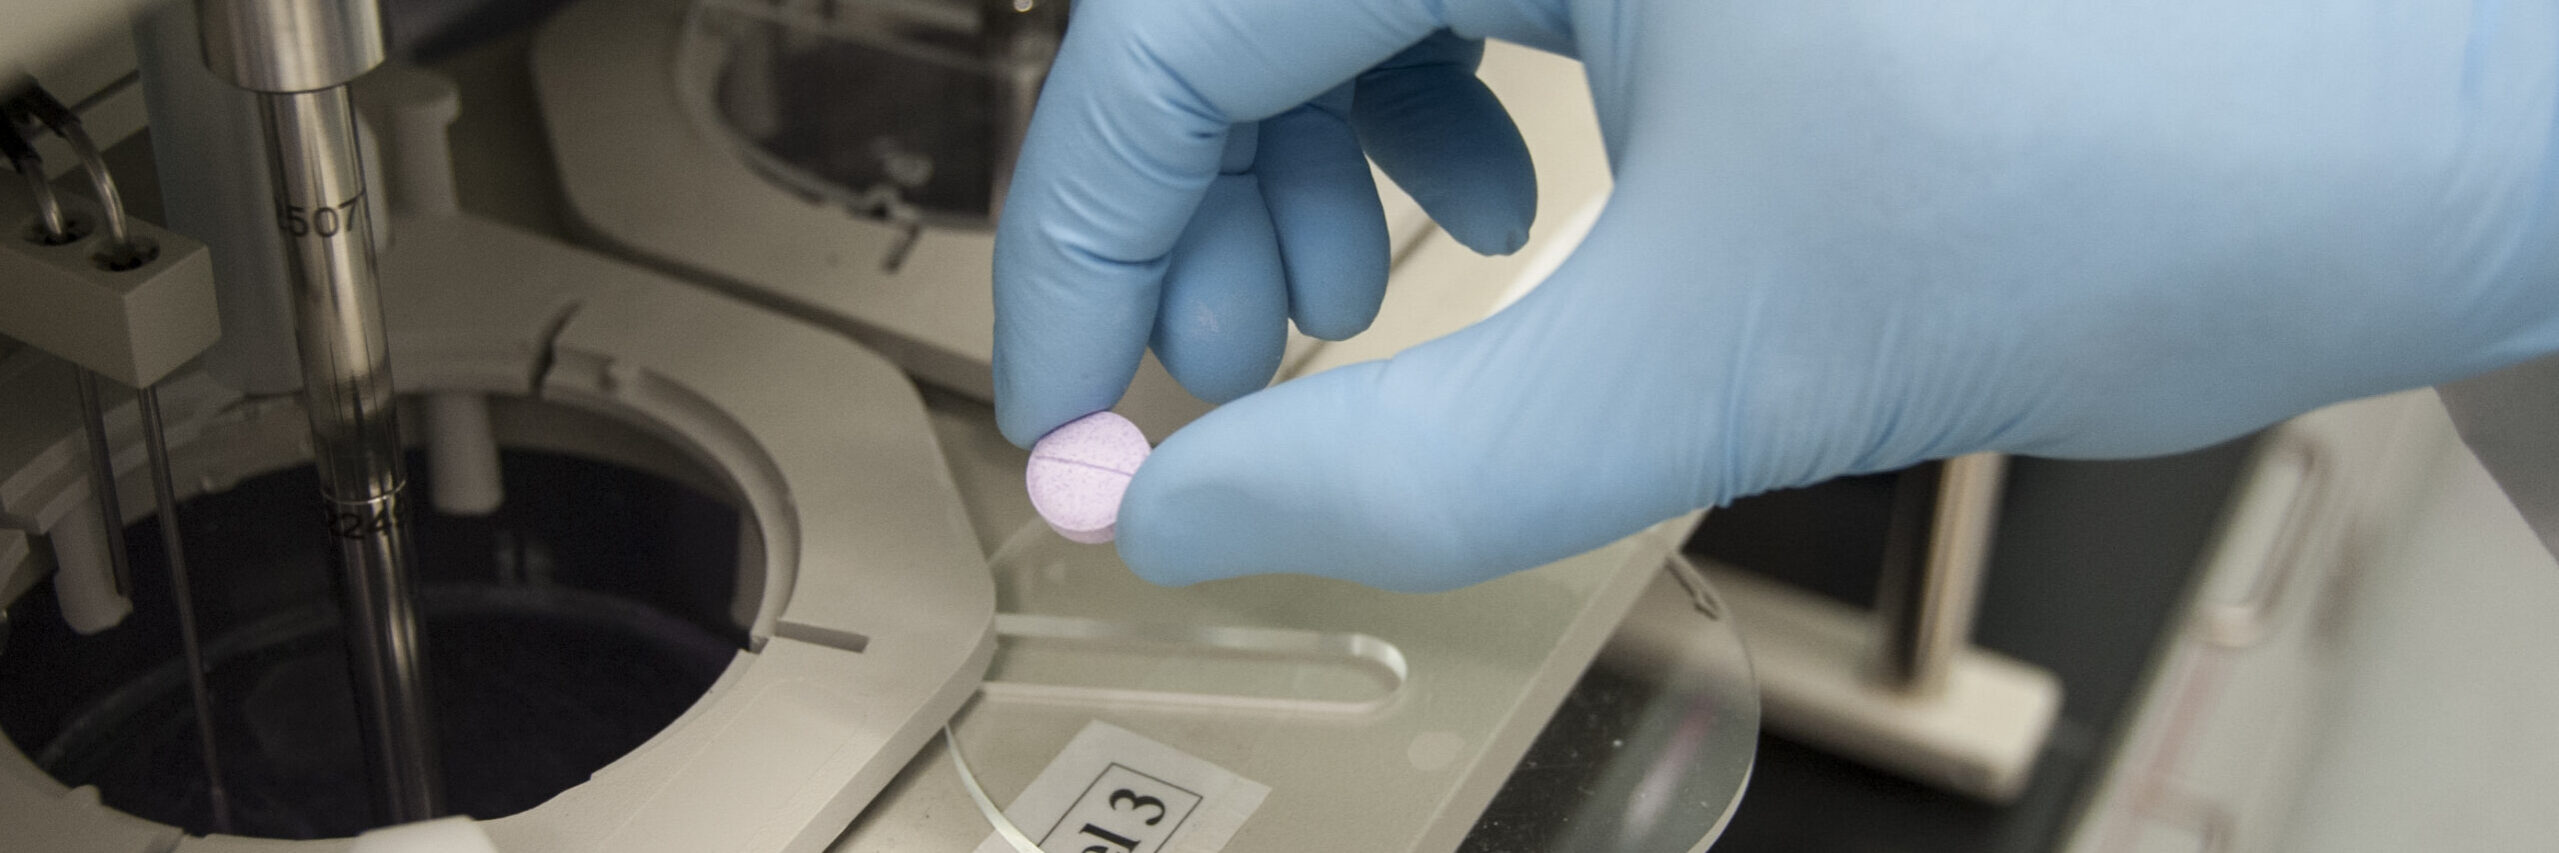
x: 1933, y: 562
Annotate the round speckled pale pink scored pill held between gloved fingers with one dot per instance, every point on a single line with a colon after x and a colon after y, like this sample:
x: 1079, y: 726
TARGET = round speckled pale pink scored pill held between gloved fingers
x: 1081, y: 470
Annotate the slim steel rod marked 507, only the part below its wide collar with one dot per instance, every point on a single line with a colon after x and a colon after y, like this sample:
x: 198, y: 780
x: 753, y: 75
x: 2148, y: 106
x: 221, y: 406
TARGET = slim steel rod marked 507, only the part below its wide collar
x: 354, y: 434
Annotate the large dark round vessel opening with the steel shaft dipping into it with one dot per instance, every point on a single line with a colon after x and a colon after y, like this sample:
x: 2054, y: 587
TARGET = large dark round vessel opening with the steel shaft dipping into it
x: 564, y: 631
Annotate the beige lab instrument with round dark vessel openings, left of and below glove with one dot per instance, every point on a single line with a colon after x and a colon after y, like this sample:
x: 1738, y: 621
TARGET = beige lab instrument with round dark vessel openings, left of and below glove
x: 697, y: 529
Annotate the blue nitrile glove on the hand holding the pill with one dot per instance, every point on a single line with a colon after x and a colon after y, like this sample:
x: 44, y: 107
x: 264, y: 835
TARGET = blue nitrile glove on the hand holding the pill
x: 1846, y: 237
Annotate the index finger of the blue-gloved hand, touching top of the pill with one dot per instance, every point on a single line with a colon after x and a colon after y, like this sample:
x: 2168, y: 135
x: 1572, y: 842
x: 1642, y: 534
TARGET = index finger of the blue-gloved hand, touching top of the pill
x: 1120, y: 152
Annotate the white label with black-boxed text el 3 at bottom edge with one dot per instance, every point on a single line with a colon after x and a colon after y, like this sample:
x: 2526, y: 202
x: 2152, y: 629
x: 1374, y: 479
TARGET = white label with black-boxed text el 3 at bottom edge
x: 1117, y: 793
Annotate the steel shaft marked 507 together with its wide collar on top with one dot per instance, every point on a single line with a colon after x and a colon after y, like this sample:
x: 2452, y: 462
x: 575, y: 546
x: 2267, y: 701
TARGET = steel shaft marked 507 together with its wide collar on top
x: 301, y: 55
